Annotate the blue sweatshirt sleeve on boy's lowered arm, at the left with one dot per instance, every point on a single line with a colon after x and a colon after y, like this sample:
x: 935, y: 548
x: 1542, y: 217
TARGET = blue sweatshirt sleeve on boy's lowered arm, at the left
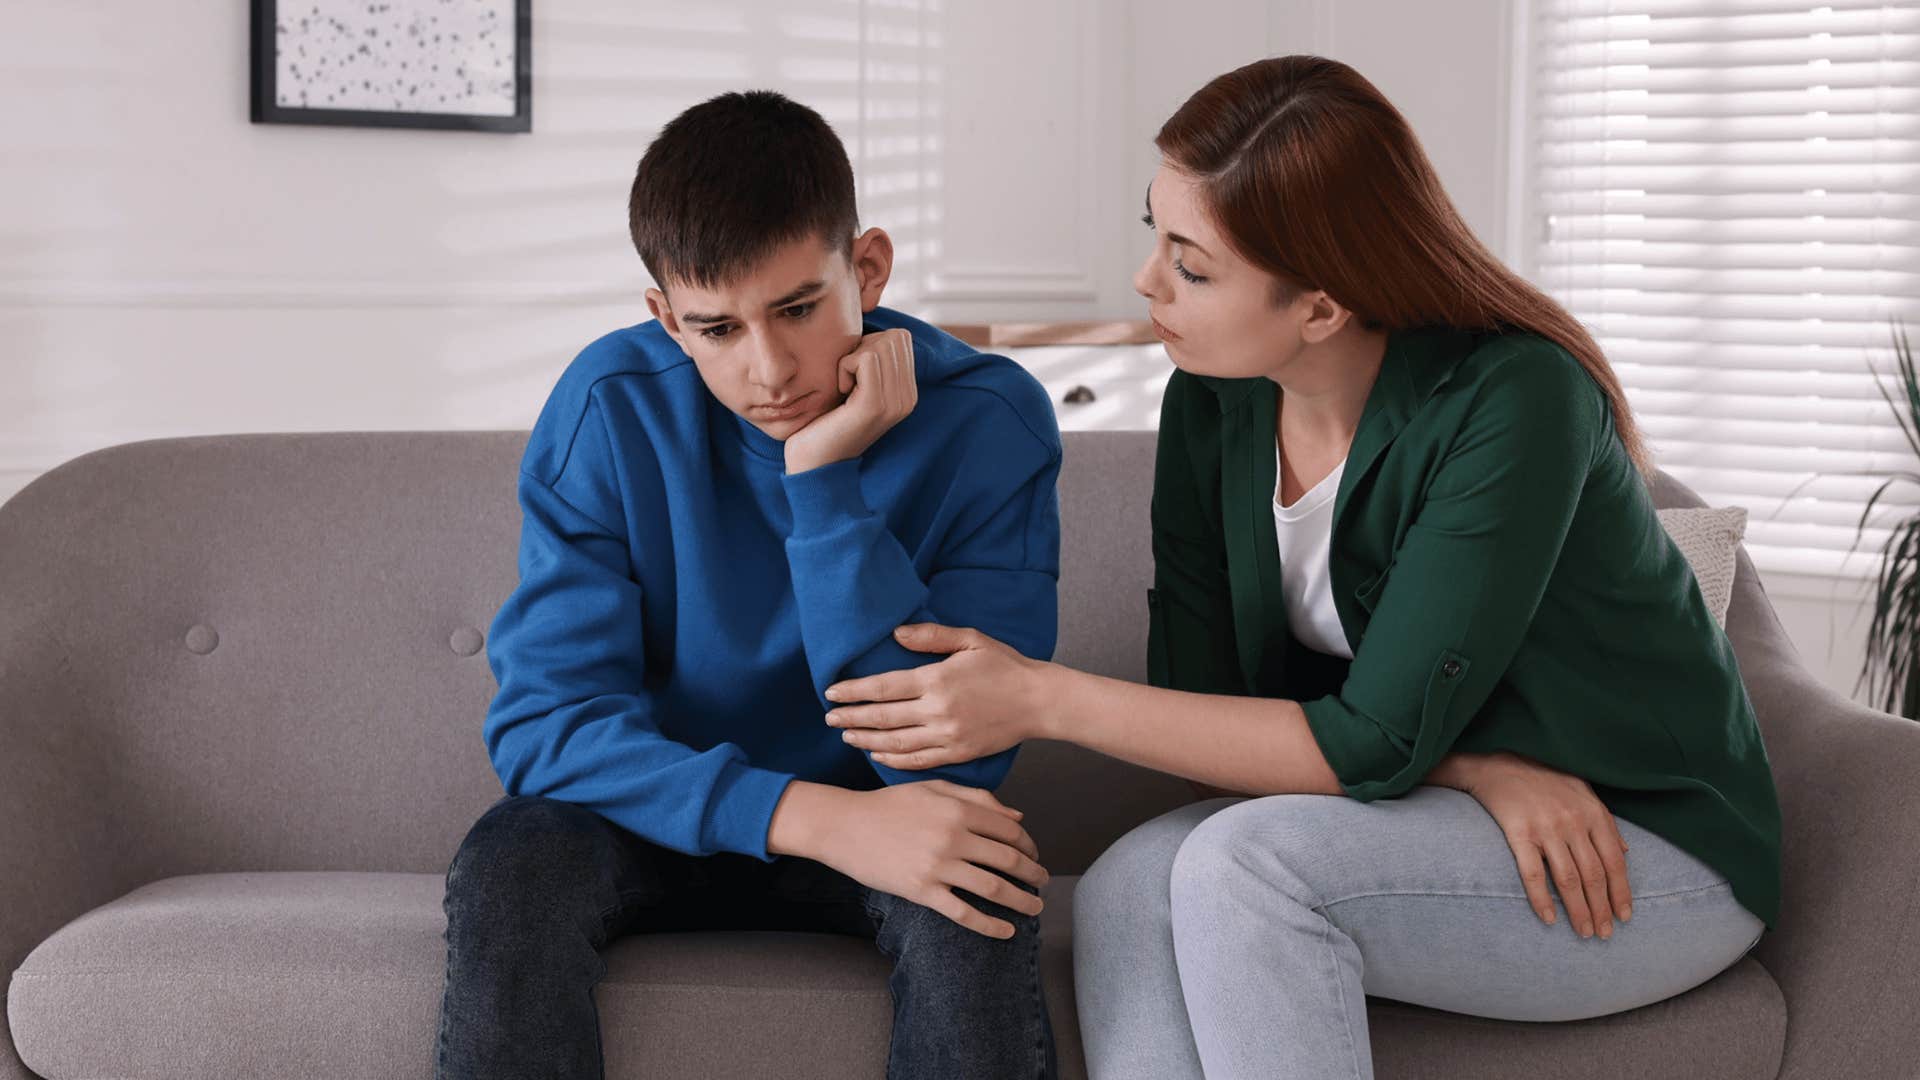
x: 573, y: 718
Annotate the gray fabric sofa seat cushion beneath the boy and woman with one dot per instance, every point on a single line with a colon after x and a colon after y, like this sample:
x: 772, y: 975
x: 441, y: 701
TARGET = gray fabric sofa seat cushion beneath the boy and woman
x: 341, y: 973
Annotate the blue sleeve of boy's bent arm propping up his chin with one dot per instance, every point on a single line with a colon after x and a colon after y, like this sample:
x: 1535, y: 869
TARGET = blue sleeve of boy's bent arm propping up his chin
x: 997, y: 574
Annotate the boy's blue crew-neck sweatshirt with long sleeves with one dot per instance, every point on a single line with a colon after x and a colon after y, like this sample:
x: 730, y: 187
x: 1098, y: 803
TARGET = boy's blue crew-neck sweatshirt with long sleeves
x: 684, y: 602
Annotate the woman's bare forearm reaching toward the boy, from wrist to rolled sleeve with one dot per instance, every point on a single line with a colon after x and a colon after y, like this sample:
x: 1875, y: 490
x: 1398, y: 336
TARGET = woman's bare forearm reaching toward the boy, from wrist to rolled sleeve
x: 1260, y: 747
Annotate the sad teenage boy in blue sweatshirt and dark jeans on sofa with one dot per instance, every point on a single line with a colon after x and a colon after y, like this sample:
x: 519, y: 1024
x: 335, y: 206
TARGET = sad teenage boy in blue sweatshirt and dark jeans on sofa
x: 727, y: 510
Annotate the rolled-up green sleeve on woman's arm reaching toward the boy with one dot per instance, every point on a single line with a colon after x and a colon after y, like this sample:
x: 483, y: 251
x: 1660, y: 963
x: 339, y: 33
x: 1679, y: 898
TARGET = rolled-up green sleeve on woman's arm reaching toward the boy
x: 1468, y: 576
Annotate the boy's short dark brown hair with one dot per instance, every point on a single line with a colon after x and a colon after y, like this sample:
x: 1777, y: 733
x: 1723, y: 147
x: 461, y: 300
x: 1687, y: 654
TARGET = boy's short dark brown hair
x: 731, y: 182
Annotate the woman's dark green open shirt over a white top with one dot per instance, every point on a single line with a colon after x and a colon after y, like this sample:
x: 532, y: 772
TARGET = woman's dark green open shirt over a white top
x: 1500, y: 577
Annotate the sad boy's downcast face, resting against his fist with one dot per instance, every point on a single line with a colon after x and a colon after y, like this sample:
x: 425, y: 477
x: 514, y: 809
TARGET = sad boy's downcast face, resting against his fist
x: 769, y: 345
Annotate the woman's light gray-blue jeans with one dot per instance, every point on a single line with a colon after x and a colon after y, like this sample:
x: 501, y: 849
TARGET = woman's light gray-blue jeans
x: 1241, y: 937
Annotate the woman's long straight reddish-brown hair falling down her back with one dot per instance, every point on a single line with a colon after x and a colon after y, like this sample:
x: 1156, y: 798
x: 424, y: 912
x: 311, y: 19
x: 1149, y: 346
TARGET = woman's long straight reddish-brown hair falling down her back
x: 1318, y: 180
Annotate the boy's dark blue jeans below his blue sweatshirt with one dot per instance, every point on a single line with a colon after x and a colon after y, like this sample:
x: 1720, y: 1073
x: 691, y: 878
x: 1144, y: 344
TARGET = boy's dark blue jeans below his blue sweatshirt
x: 540, y: 887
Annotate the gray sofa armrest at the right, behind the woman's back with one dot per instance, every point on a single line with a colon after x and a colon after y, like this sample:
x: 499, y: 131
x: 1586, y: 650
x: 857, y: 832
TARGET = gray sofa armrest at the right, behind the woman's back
x: 1848, y: 950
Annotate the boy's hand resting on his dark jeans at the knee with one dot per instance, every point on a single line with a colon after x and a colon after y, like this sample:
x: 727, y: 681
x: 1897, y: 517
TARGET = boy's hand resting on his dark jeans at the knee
x: 923, y: 843
